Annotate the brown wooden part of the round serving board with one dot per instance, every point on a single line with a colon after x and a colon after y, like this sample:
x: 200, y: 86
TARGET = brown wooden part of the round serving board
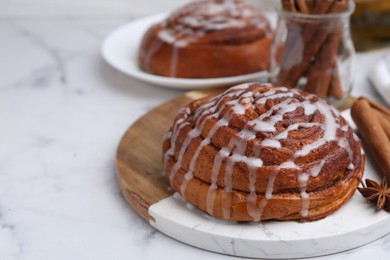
x: 139, y: 155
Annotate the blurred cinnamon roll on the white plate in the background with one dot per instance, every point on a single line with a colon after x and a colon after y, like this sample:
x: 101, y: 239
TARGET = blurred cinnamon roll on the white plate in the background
x: 208, y: 39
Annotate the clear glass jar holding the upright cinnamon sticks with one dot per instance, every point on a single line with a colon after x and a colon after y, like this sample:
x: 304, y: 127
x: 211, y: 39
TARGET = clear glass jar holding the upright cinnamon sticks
x: 315, y: 53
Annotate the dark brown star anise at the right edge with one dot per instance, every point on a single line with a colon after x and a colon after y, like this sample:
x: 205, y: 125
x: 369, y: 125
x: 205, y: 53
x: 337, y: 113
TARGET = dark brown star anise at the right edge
x: 377, y: 193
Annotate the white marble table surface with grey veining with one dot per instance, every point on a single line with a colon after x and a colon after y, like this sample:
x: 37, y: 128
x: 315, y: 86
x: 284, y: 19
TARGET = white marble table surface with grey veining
x: 62, y: 113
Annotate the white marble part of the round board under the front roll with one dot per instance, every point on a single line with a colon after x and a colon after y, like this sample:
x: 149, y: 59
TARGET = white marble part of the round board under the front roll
x: 355, y: 224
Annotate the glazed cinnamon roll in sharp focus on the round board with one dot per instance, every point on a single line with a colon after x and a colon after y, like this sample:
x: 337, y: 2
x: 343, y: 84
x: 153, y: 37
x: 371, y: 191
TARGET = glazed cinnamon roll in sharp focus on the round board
x: 258, y: 152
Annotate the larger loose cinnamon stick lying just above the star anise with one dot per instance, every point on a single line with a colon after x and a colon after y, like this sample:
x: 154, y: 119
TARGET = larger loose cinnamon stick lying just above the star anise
x: 376, y: 138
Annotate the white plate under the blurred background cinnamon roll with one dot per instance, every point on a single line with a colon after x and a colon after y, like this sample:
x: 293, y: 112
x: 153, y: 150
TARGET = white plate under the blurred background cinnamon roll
x: 120, y: 50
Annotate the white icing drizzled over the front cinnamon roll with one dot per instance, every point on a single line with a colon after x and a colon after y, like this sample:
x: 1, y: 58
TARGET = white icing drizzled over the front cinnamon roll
x: 240, y: 99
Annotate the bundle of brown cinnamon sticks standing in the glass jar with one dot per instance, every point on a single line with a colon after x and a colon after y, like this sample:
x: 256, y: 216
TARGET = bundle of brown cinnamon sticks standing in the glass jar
x: 313, y: 53
